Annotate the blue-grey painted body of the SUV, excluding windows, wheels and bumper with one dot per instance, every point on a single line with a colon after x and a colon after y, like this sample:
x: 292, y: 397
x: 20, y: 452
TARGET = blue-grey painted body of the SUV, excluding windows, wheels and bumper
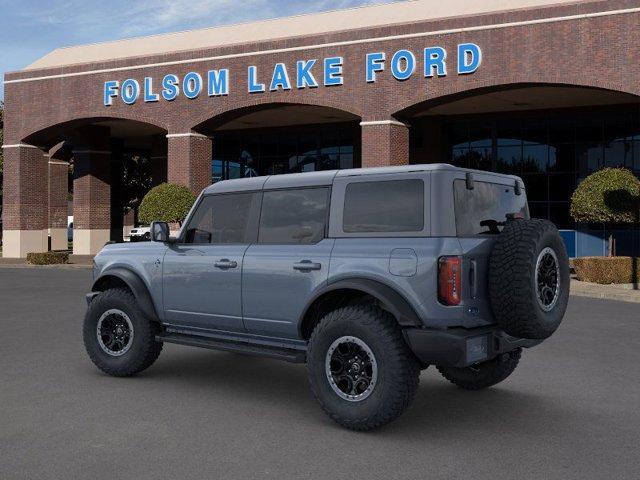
x: 265, y: 298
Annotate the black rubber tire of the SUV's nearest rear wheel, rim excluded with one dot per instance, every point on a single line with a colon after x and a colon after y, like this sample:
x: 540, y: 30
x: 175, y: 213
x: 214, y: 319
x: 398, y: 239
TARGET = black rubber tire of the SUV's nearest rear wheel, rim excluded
x: 398, y: 369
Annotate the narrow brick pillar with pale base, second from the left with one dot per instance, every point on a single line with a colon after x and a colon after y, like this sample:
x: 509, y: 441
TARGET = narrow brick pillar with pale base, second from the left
x: 58, y: 190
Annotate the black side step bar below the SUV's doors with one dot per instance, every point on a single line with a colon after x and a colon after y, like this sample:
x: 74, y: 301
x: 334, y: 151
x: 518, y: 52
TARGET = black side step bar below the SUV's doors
x: 286, y: 354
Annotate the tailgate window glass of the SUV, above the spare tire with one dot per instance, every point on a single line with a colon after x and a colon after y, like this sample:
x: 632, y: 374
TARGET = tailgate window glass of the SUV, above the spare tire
x: 484, y: 209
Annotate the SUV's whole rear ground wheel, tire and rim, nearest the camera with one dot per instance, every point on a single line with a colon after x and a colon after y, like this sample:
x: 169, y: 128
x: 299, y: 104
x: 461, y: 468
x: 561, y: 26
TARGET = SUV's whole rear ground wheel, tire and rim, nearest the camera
x: 360, y: 369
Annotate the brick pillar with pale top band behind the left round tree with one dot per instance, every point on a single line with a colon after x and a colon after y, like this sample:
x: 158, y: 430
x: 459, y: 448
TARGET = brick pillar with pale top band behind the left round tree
x: 189, y: 160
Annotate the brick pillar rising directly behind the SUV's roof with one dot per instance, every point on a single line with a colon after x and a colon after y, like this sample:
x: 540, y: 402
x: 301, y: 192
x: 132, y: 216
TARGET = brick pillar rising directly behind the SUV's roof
x: 384, y: 143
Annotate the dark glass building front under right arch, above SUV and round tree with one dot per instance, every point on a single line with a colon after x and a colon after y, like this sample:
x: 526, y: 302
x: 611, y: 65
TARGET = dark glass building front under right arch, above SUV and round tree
x: 551, y: 151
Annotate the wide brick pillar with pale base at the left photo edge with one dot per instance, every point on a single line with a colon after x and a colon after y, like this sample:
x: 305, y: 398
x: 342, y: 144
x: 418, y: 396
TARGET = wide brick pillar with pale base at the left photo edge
x: 25, y: 199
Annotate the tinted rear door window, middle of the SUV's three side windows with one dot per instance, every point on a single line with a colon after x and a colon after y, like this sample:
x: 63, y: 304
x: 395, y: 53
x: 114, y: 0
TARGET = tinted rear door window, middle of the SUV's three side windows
x: 294, y: 216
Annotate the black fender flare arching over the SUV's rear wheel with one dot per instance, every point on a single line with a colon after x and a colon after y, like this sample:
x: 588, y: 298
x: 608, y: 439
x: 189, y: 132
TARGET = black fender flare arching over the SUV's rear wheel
x: 395, y: 303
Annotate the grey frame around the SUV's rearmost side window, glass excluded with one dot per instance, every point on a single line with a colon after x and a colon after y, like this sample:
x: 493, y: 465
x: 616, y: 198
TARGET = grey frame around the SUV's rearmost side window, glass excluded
x: 336, y: 225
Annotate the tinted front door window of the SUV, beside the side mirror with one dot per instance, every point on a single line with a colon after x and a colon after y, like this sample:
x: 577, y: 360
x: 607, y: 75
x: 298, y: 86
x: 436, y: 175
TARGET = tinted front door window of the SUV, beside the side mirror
x: 224, y: 219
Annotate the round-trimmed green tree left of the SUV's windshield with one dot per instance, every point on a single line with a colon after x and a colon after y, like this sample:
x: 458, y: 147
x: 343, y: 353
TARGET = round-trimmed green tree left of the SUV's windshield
x: 166, y: 202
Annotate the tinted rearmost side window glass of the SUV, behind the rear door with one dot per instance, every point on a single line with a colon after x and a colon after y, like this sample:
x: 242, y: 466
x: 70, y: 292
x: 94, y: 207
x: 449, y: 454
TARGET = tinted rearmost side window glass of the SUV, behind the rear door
x: 386, y: 206
